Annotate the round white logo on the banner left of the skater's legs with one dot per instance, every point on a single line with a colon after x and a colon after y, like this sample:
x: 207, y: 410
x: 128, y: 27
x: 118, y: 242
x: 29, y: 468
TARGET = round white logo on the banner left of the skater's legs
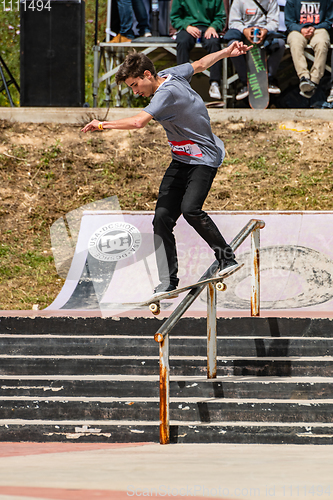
x: 114, y: 241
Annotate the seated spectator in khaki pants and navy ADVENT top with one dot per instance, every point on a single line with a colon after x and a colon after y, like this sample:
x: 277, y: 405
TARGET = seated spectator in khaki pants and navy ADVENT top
x: 309, y: 22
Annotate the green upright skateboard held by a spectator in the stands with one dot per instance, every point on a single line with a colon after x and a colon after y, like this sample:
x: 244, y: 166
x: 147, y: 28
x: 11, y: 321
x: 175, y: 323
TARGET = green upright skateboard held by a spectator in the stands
x: 257, y: 78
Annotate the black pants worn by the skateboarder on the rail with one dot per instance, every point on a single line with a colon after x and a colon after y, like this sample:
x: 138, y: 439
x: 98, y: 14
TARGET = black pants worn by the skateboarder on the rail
x: 183, y: 190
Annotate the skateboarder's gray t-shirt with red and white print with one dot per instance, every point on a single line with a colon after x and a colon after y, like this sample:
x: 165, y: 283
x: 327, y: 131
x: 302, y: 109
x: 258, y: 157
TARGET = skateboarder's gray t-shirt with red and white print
x: 184, y: 117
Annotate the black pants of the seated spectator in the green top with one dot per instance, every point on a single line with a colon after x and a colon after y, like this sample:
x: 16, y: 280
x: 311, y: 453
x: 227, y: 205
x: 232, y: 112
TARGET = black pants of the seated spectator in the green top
x: 186, y: 42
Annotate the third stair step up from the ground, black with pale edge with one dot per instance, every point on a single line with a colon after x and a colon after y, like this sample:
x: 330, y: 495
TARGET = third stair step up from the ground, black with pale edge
x: 306, y: 388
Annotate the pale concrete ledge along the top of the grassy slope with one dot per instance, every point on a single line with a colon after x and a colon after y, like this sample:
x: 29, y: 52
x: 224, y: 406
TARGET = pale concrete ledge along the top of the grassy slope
x: 79, y: 116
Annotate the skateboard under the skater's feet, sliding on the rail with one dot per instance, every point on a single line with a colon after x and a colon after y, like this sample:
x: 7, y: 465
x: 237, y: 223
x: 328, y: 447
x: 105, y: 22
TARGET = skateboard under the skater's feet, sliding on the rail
x: 154, y: 301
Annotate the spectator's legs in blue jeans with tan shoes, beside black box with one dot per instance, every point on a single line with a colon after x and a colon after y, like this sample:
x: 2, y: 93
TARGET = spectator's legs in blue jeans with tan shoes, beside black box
x: 125, y: 9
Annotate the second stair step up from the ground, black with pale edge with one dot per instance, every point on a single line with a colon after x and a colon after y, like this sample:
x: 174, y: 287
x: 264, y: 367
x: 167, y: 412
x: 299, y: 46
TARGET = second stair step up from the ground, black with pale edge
x: 197, y: 409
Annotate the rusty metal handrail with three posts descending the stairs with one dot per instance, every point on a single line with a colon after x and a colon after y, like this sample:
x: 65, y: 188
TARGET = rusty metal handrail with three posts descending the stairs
x: 162, y: 335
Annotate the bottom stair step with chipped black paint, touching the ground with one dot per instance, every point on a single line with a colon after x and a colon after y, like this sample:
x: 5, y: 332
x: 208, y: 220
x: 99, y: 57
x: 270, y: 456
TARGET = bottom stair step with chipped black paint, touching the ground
x: 185, y: 432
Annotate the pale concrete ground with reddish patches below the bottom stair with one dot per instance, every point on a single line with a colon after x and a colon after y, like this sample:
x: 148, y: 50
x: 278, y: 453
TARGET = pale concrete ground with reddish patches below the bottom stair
x: 120, y: 471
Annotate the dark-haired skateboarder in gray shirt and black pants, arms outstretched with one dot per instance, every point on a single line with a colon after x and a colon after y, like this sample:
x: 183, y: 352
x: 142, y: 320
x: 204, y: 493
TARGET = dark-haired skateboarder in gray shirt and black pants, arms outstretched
x: 196, y: 152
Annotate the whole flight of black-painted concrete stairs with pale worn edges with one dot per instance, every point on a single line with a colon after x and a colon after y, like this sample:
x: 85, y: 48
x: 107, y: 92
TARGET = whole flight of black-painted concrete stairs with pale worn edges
x: 94, y: 379
